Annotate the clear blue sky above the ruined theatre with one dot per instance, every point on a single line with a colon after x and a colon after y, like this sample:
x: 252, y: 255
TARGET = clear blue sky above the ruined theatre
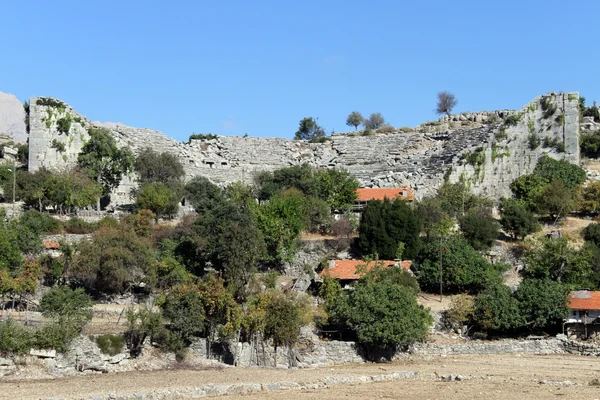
x: 258, y: 67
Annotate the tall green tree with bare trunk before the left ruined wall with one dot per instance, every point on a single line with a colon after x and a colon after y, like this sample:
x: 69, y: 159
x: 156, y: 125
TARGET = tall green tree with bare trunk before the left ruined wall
x: 104, y: 160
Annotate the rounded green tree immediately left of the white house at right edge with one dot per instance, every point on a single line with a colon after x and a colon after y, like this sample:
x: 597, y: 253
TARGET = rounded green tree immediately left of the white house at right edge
x: 542, y: 303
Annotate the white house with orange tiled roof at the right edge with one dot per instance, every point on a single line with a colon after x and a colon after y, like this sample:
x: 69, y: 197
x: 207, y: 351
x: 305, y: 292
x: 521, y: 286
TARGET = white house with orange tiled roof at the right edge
x: 584, y: 318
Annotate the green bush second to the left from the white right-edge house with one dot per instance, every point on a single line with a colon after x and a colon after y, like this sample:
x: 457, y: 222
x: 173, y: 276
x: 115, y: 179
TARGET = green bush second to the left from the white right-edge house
x: 496, y: 309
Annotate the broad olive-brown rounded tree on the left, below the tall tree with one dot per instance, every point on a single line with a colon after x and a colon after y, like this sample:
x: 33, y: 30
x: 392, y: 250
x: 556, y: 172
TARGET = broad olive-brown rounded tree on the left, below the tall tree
x: 114, y: 260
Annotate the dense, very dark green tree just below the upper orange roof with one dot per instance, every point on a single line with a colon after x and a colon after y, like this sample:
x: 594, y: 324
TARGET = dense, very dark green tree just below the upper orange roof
x: 385, y: 224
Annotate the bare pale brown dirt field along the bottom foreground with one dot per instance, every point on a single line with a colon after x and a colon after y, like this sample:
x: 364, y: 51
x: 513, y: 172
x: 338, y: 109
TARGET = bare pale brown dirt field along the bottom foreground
x: 486, y: 377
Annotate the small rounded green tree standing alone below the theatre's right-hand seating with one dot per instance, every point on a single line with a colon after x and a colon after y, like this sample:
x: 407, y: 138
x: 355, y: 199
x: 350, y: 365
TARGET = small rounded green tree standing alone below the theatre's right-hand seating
x: 479, y: 228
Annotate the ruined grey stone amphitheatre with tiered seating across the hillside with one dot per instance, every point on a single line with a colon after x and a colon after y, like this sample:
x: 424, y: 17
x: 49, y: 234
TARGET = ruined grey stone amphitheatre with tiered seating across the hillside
x: 487, y: 150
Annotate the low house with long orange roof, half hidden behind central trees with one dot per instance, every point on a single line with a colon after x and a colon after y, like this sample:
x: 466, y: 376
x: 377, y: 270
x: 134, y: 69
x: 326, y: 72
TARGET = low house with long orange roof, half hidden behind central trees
x: 349, y: 271
